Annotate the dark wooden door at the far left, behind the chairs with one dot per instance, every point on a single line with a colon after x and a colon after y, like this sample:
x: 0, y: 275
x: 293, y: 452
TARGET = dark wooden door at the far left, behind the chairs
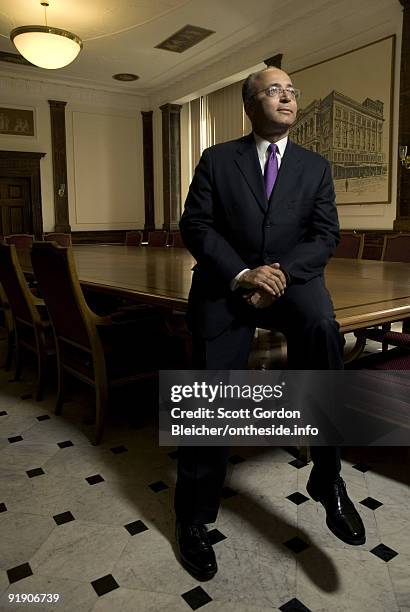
x: 15, y: 206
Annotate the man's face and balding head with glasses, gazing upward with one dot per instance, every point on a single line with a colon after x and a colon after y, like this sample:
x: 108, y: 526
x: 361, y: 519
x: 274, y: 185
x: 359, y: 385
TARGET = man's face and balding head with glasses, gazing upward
x: 271, y: 115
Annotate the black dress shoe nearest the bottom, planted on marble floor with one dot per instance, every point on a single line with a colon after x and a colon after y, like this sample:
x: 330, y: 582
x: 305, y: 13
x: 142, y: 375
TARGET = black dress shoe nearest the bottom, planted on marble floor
x: 195, y: 550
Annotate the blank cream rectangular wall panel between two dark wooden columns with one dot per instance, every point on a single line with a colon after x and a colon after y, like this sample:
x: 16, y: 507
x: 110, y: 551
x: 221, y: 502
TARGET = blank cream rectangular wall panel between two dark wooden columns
x: 107, y: 177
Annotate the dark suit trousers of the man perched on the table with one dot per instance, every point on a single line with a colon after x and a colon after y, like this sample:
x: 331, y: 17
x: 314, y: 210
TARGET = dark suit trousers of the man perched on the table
x: 305, y: 315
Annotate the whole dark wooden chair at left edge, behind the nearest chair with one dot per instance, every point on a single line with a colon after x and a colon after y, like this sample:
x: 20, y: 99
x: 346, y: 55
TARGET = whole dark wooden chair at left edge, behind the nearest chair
x: 32, y: 329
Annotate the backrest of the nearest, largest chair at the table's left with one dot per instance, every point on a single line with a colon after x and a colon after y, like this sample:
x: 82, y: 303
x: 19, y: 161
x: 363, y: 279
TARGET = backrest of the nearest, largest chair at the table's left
x: 54, y: 269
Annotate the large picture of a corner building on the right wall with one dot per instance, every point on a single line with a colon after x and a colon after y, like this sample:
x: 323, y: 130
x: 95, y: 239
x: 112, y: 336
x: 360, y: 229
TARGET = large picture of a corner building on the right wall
x: 345, y: 114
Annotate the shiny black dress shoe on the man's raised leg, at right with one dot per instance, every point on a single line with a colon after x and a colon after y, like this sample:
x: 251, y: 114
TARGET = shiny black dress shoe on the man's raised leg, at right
x: 342, y: 517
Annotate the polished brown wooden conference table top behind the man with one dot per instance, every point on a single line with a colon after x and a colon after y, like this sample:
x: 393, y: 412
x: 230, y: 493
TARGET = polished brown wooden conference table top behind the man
x: 364, y: 292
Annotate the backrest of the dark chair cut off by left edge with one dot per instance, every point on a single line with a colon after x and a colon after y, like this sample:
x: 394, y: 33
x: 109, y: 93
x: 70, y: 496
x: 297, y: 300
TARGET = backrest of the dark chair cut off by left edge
x: 15, y: 286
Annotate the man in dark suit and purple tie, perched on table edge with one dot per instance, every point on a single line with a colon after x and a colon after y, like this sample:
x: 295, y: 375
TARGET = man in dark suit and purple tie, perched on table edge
x: 261, y: 221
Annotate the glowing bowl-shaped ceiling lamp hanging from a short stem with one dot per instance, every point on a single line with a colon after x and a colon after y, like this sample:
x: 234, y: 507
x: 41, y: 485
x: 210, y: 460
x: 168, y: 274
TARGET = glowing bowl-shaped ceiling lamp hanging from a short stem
x: 44, y: 46
